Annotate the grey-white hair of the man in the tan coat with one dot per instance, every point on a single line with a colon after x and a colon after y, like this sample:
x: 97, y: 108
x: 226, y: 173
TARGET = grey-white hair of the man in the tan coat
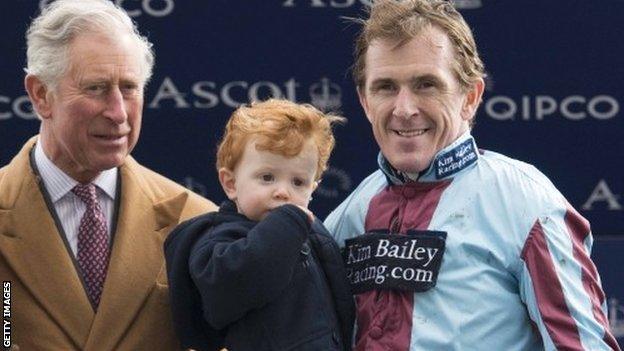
x: 50, y: 35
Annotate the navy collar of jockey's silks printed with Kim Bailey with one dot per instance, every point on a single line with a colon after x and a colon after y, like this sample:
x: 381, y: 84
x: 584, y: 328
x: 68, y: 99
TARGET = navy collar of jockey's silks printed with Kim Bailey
x: 451, y: 160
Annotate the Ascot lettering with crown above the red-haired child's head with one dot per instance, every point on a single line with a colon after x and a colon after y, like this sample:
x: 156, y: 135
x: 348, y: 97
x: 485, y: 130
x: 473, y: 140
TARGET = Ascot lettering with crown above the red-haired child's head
x: 324, y: 94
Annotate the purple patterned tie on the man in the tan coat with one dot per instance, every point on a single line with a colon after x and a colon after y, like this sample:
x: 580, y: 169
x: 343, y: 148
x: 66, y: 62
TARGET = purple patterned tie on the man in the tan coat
x: 92, y: 242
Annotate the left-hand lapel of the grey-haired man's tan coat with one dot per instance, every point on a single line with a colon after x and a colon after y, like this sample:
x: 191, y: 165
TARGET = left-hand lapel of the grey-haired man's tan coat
x: 35, y: 251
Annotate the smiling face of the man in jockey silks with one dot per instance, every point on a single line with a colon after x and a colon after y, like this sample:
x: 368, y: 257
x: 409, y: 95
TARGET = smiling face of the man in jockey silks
x: 412, y: 99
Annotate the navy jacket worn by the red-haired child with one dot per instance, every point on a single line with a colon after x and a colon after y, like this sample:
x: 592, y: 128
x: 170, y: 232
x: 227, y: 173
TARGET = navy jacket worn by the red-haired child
x: 277, y: 284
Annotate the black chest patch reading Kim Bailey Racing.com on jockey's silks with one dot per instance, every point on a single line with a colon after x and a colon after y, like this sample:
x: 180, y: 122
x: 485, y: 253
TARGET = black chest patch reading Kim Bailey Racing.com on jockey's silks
x: 394, y: 261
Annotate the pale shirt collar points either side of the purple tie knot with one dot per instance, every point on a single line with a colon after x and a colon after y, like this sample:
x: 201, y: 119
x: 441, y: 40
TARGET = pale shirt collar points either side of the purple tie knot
x: 58, y: 183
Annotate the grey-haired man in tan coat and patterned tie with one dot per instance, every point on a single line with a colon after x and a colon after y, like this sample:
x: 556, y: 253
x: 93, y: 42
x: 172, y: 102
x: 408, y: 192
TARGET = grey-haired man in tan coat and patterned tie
x: 81, y: 222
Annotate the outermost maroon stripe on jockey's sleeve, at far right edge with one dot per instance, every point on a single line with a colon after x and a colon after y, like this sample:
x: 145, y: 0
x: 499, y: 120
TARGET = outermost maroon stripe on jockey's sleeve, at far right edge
x: 578, y: 228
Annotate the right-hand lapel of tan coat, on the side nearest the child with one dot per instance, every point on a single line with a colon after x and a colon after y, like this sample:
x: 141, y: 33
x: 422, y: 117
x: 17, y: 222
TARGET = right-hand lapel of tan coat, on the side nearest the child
x: 136, y: 258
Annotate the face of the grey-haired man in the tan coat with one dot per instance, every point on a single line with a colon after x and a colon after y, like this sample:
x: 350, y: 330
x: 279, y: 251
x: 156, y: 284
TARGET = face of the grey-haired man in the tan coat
x: 94, y: 115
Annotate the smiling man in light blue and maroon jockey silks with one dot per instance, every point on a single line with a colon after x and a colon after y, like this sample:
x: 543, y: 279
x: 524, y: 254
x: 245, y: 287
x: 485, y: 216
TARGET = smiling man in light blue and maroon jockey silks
x: 463, y: 249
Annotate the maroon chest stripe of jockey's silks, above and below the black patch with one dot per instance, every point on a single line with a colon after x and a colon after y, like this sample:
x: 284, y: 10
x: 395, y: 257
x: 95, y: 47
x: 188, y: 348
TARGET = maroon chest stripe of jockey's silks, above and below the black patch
x: 384, y: 318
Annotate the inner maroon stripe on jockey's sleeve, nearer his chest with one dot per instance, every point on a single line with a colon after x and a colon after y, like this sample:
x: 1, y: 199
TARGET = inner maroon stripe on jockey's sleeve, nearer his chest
x: 548, y: 292
